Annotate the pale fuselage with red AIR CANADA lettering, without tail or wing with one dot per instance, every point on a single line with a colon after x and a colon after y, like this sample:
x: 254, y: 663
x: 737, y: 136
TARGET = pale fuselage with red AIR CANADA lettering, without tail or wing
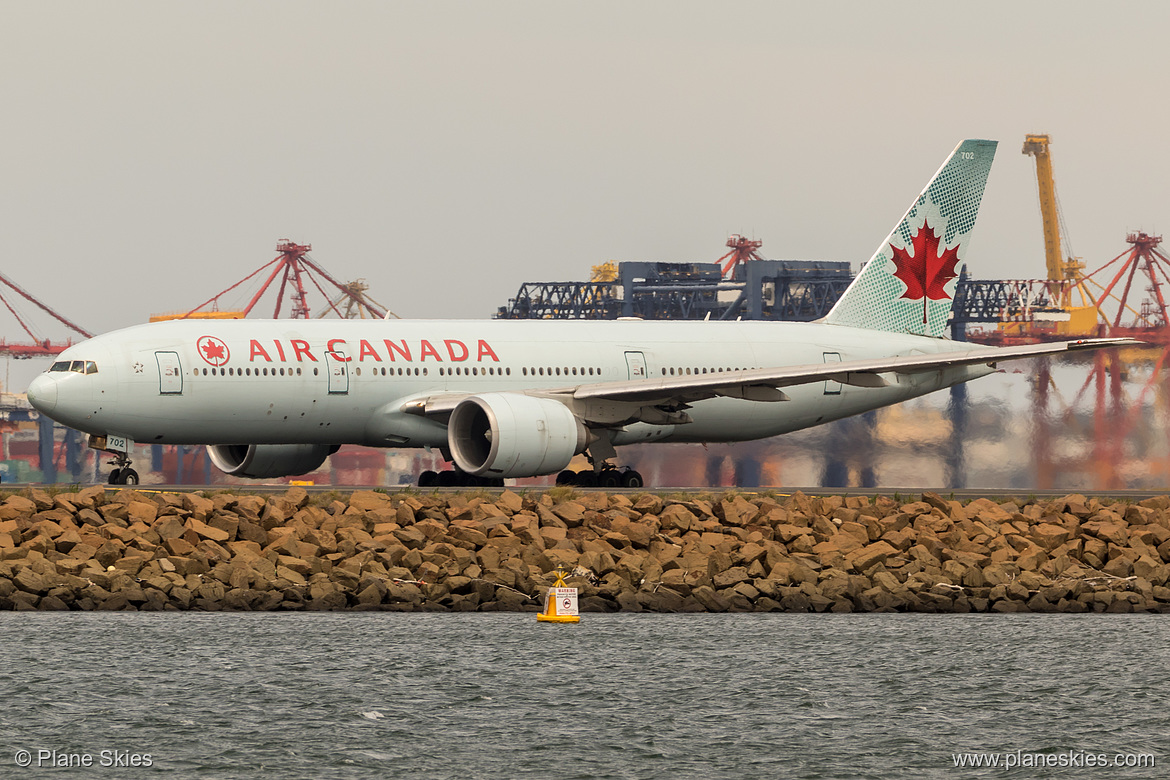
x: 347, y: 382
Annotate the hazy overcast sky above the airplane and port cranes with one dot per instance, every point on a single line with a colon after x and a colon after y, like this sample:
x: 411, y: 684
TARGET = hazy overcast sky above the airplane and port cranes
x: 450, y: 151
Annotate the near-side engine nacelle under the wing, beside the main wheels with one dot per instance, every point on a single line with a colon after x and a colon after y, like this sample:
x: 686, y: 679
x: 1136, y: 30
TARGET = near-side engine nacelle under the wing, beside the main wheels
x: 514, y: 436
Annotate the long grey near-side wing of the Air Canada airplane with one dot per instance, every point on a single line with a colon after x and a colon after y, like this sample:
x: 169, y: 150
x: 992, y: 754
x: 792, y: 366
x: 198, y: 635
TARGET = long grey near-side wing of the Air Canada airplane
x: 766, y: 384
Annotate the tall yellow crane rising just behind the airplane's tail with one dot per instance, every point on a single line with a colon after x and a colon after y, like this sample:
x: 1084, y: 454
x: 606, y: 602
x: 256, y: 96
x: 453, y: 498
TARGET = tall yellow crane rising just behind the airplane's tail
x: 1064, y: 272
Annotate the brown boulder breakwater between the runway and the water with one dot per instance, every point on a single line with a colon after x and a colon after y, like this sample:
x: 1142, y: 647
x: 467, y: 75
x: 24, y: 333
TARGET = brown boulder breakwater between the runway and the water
x: 105, y: 549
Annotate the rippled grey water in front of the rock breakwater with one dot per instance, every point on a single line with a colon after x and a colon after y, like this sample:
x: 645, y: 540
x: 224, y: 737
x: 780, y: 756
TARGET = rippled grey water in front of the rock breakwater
x: 617, y: 696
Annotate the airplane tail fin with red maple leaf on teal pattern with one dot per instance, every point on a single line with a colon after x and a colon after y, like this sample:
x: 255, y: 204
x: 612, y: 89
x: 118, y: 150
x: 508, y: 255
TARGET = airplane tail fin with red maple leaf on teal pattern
x: 909, y: 287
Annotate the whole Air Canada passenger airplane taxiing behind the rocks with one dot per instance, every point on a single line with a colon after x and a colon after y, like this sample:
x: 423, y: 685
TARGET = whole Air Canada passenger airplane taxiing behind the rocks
x: 505, y: 399
